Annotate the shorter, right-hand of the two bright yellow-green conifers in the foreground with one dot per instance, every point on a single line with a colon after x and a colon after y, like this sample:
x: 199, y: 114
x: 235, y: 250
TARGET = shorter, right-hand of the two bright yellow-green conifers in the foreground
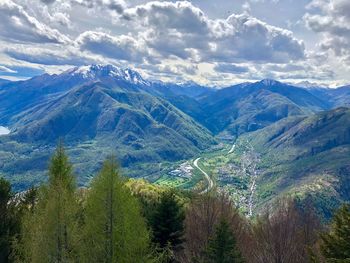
x: 114, y: 229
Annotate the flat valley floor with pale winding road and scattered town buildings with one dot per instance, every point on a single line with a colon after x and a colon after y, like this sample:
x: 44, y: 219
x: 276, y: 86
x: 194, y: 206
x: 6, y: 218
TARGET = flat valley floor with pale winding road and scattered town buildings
x: 231, y: 169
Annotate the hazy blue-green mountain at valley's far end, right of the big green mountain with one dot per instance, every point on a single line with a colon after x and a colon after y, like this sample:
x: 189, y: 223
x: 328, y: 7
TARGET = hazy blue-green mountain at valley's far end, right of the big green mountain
x: 251, y: 106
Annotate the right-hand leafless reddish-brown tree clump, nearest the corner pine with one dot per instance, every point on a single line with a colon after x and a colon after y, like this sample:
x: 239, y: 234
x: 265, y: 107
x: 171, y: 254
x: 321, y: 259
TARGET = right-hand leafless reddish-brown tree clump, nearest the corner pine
x: 285, y: 235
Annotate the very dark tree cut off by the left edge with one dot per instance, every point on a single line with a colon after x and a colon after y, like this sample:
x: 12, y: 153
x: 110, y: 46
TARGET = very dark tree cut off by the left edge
x: 9, y: 224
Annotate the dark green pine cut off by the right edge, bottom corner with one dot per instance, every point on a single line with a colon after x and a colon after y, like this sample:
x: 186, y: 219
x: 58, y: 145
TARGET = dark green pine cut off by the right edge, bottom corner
x: 335, y: 245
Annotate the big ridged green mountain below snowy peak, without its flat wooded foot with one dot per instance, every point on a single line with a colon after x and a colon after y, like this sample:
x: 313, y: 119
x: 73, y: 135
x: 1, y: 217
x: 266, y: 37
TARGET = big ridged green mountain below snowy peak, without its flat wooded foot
x: 99, y: 111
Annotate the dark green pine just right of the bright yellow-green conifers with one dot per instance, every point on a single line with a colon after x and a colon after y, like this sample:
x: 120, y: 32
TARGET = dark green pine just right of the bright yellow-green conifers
x: 168, y: 222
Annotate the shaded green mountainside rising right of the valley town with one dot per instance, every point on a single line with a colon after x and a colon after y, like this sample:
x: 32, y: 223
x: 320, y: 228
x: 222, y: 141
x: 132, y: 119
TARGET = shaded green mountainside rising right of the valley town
x: 307, y: 155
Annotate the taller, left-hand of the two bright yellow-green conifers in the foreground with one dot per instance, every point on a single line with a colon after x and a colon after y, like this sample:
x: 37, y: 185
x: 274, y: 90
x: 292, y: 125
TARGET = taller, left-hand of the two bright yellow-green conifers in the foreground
x: 50, y: 230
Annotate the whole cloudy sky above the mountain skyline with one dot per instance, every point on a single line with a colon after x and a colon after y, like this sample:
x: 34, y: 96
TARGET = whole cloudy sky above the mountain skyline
x: 217, y: 42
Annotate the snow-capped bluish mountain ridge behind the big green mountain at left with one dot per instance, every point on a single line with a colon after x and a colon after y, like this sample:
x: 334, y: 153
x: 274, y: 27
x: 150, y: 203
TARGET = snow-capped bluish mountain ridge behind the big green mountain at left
x: 19, y: 96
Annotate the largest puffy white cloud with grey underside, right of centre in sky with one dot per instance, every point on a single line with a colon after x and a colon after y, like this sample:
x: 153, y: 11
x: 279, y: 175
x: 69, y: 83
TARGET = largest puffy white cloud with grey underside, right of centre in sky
x: 183, y: 30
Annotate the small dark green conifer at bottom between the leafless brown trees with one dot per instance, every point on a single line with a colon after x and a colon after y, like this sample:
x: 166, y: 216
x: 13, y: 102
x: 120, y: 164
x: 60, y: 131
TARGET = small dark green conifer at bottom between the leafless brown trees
x: 222, y: 246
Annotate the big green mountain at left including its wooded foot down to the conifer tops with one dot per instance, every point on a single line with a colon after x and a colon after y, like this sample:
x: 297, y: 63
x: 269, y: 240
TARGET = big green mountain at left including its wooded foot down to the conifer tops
x: 96, y: 120
